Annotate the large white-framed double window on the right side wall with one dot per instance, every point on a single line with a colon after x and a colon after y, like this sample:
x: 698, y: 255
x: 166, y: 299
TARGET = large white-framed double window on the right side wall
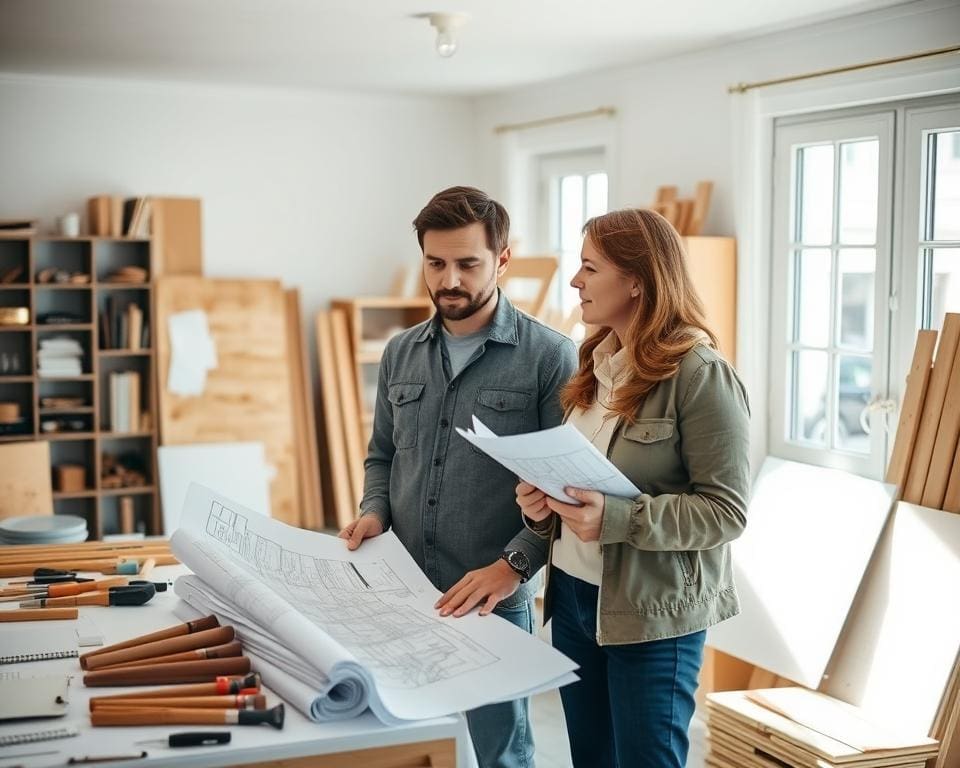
x: 846, y: 302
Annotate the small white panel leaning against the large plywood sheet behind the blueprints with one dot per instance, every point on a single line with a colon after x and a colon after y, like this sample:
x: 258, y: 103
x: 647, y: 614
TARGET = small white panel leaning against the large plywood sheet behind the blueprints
x: 237, y: 470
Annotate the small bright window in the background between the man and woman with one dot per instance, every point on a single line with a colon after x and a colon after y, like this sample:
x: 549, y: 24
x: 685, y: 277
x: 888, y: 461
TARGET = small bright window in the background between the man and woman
x: 574, y: 188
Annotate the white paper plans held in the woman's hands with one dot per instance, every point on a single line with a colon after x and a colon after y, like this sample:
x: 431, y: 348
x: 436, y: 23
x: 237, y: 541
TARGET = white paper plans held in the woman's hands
x: 552, y: 459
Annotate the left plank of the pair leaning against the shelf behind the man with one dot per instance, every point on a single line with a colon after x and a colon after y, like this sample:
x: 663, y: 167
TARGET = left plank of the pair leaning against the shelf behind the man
x: 344, y: 506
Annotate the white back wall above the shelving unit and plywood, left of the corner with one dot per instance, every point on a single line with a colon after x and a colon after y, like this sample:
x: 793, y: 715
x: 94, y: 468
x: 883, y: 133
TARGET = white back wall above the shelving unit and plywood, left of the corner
x: 315, y: 188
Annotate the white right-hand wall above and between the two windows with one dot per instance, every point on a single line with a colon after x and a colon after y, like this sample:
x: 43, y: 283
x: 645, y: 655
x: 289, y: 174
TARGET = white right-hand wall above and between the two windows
x: 674, y: 122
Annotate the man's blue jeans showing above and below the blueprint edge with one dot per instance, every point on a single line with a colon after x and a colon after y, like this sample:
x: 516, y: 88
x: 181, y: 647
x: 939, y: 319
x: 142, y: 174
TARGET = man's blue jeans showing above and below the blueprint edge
x: 501, y: 733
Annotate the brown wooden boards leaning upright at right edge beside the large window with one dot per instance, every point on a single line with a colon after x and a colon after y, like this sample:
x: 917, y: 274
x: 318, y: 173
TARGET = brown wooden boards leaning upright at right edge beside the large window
x: 924, y: 460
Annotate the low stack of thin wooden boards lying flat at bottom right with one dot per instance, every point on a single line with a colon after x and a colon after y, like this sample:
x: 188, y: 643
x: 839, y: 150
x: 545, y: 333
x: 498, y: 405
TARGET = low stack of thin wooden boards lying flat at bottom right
x: 796, y: 727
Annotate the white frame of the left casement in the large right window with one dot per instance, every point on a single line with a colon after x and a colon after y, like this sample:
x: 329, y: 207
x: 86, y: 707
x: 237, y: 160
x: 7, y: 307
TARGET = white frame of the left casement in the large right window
x: 789, y: 136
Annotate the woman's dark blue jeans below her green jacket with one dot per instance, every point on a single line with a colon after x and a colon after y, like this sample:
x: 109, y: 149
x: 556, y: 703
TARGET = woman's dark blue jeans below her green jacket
x: 633, y: 703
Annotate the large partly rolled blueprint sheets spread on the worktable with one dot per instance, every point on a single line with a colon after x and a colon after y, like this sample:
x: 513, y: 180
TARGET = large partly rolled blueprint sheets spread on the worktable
x: 358, y: 628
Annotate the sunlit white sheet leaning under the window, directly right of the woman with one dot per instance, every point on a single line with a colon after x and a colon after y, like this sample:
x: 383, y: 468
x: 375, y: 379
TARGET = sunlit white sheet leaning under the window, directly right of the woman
x: 798, y: 565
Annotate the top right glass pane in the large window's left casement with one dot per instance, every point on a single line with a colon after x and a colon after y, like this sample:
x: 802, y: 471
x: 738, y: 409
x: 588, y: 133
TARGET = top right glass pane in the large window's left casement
x: 859, y: 175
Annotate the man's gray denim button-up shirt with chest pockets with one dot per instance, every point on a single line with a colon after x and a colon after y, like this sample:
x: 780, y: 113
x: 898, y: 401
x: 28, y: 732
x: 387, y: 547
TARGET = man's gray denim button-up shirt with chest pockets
x: 454, y: 508
